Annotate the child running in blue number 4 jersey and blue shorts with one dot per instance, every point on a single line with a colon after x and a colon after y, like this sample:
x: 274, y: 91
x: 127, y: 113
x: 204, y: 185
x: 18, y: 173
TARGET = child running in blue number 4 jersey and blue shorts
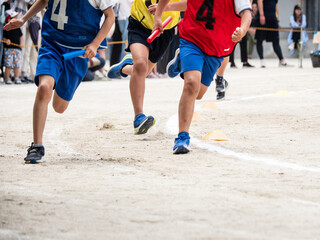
x: 67, y: 25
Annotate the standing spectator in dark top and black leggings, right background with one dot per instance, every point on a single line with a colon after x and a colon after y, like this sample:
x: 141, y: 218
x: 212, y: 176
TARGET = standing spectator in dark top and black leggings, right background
x: 268, y: 14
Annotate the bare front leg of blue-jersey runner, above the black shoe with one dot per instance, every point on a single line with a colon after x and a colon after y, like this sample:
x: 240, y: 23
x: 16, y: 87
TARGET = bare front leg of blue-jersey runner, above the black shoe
x: 40, y: 108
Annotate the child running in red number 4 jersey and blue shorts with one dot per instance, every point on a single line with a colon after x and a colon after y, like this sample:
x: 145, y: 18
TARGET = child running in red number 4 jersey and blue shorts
x: 208, y: 32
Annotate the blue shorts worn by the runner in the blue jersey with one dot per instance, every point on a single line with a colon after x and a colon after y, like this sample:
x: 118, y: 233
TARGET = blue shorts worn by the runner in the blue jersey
x: 67, y: 74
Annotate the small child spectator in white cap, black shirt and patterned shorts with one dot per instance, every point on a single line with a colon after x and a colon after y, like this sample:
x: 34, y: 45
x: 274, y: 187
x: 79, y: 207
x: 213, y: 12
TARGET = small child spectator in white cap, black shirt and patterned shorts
x: 12, y: 50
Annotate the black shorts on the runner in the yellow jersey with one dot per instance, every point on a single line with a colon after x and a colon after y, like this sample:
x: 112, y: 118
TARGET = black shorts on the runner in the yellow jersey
x: 137, y: 33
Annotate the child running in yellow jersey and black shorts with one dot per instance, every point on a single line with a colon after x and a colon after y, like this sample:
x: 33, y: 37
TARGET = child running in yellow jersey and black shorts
x: 144, y: 56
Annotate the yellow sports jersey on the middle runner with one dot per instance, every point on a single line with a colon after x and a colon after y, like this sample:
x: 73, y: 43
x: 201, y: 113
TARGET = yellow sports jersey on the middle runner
x: 139, y: 11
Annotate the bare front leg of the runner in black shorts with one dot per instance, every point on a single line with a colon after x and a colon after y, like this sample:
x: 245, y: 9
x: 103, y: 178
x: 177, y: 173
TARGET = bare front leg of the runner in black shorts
x: 140, y: 68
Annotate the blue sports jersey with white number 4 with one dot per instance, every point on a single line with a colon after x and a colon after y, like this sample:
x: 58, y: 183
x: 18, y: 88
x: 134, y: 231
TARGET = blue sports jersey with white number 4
x: 73, y: 23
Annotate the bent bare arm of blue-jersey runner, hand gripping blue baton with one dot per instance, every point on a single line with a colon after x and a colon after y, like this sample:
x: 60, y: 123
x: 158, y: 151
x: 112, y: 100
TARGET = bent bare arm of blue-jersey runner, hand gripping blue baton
x: 91, y: 49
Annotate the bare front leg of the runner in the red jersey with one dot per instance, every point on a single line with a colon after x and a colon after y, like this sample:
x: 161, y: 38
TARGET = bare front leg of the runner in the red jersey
x: 186, y: 105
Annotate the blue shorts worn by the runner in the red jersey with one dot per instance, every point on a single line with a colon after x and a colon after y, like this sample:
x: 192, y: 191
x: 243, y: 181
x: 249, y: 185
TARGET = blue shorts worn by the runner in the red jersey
x: 194, y: 59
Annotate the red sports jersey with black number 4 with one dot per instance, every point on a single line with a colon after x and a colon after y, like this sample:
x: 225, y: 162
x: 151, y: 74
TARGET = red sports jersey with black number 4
x: 210, y: 24
